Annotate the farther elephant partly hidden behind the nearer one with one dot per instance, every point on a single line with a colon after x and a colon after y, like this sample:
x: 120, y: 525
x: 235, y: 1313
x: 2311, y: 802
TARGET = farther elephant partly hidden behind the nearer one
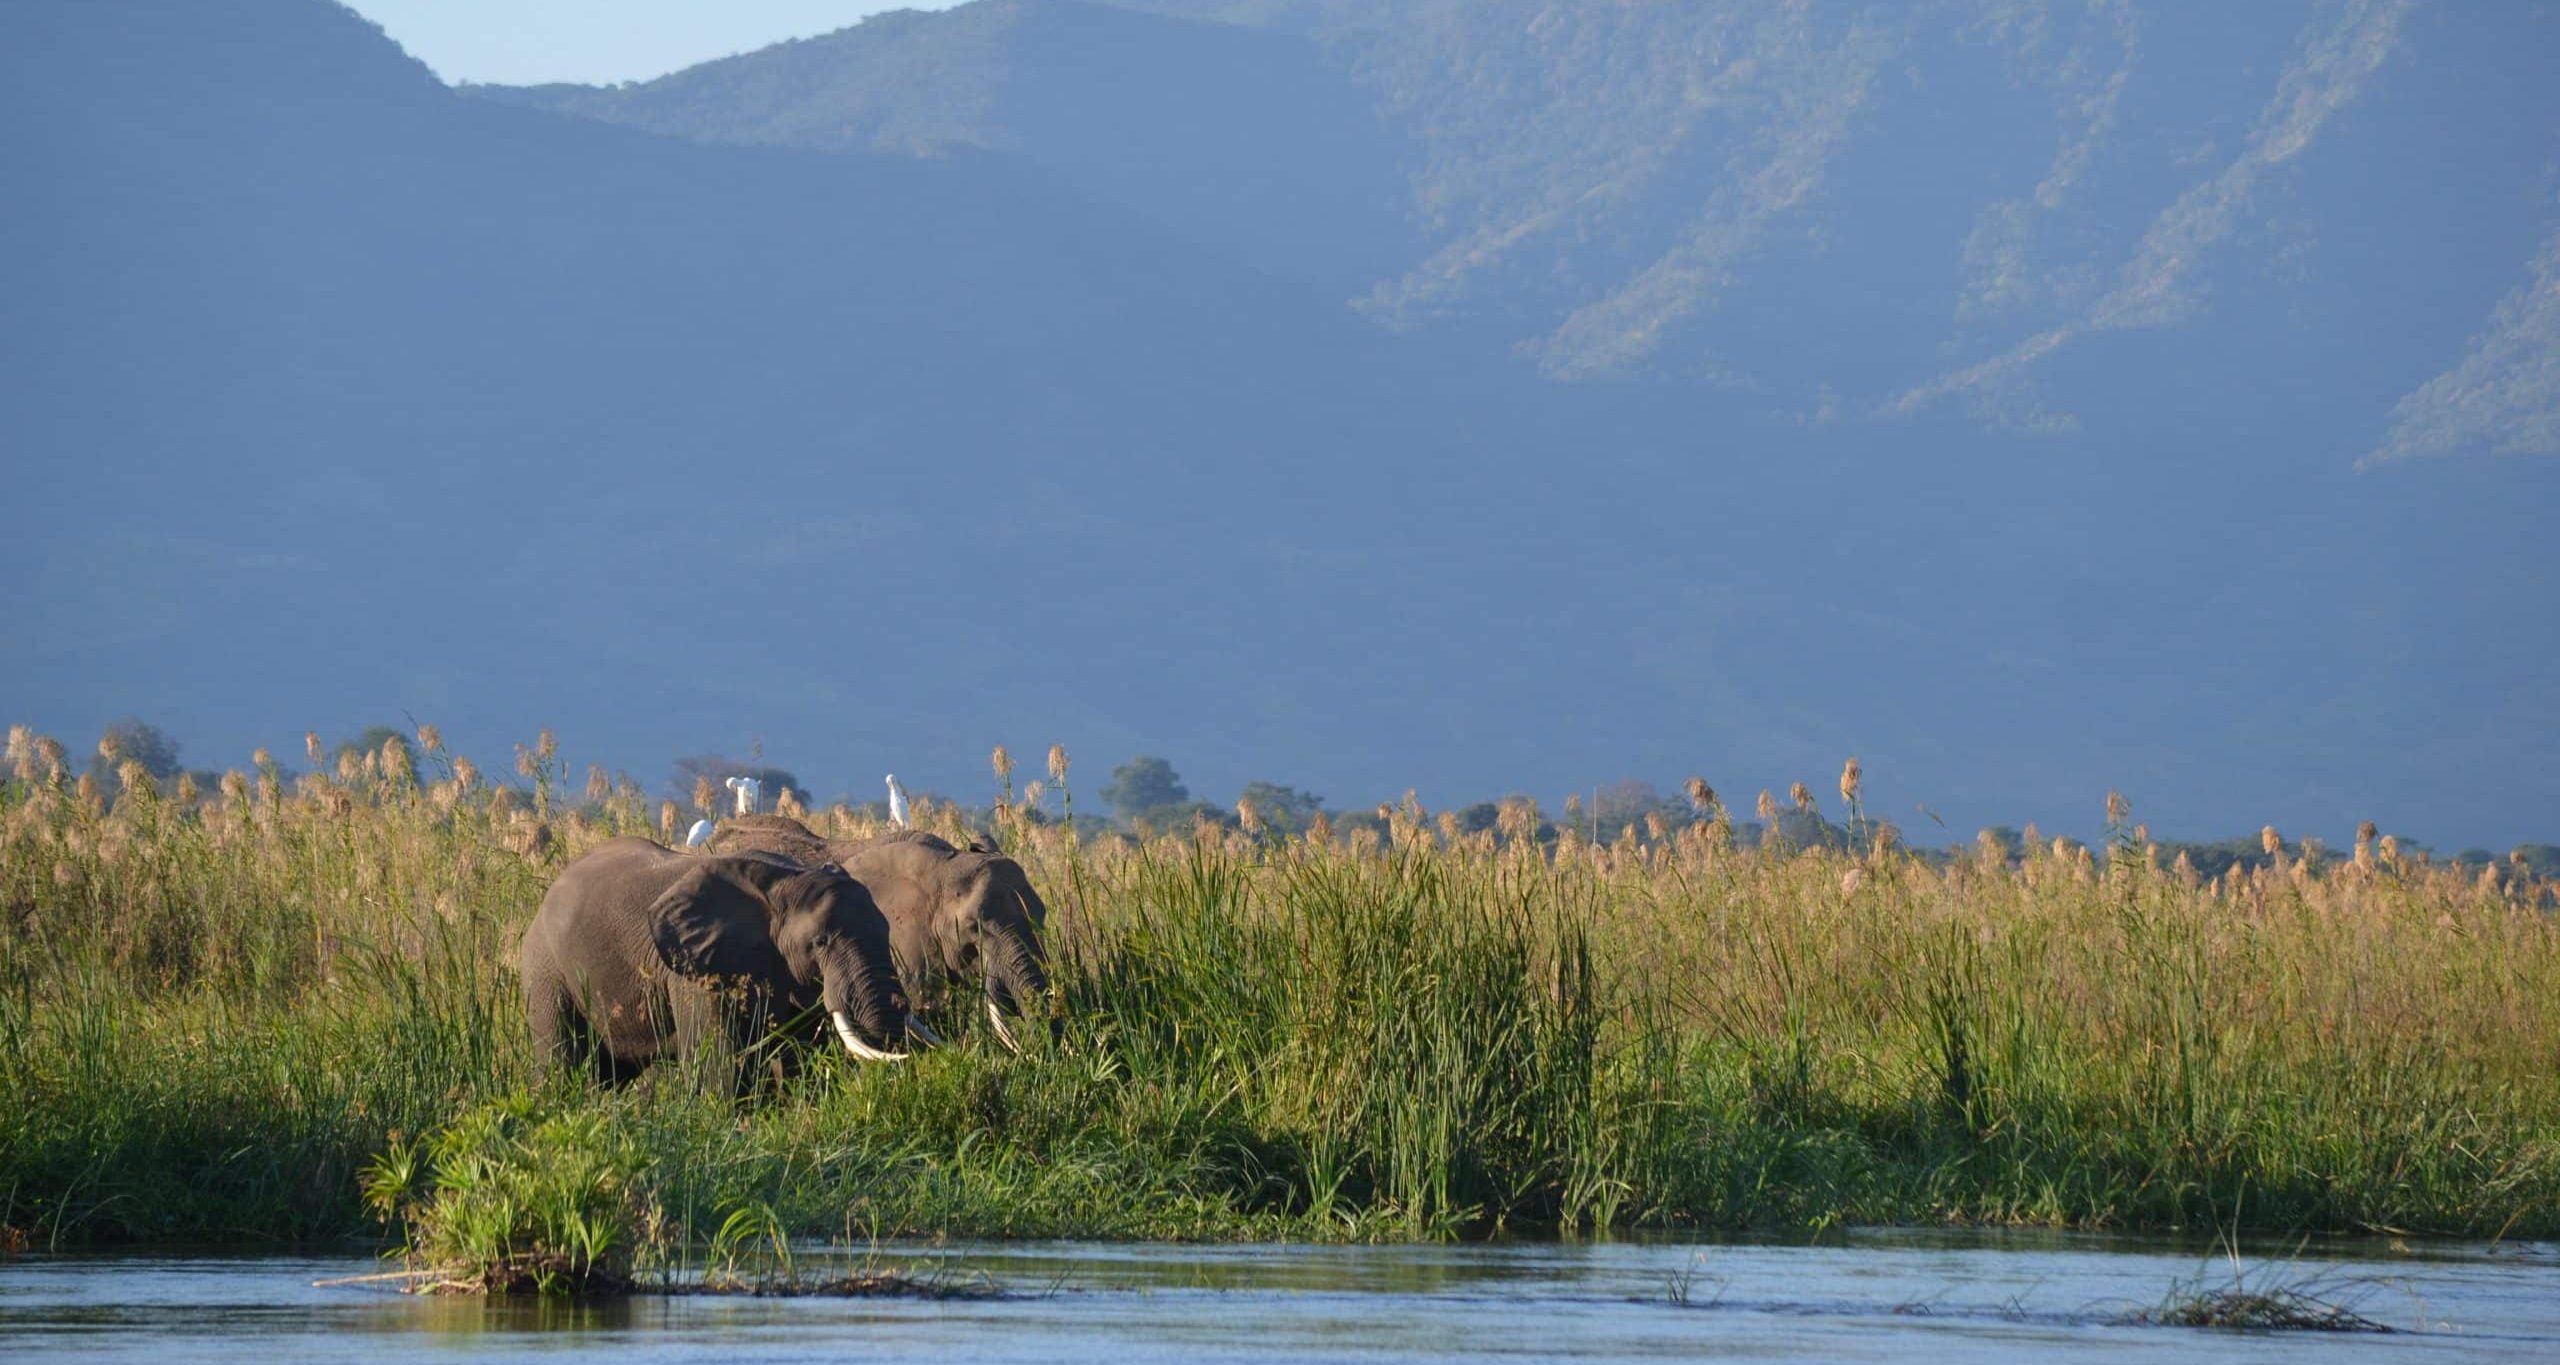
x: 951, y: 910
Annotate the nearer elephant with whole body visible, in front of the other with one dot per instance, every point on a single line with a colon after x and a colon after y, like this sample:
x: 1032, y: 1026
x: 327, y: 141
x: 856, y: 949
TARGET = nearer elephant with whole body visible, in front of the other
x: 641, y: 951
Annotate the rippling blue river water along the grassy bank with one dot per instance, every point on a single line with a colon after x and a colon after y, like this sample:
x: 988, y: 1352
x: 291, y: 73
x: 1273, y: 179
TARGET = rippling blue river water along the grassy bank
x: 1862, y: 1297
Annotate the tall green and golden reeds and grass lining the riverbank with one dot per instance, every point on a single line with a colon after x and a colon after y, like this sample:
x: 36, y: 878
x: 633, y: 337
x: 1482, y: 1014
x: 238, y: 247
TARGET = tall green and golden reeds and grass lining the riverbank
x: 221, y: 1010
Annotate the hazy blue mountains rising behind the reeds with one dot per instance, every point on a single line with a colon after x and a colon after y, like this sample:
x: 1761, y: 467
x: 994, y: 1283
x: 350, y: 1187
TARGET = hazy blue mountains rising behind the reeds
x: 1361, y: 396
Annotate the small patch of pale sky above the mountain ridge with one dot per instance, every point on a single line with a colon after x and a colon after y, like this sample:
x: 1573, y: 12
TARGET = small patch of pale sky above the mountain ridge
x: 600, y: 42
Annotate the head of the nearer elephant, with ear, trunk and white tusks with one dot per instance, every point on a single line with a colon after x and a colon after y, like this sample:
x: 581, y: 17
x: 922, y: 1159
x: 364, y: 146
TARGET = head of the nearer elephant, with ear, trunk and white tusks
x: 810, y: 933
